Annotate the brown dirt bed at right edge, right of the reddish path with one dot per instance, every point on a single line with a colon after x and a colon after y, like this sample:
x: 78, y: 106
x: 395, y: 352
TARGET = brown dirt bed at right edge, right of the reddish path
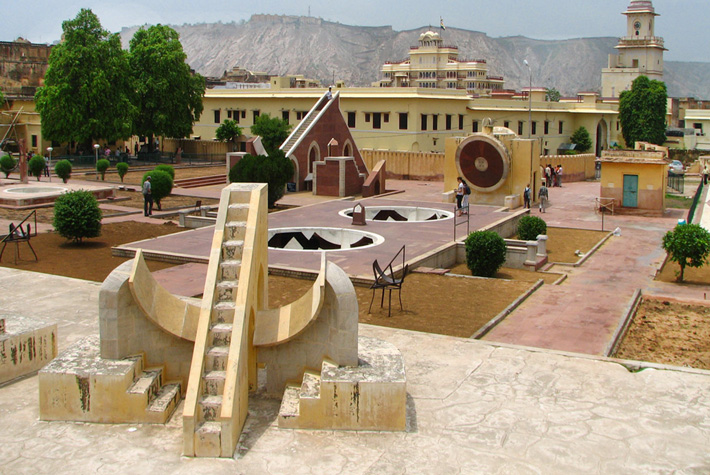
x: 669, y: 333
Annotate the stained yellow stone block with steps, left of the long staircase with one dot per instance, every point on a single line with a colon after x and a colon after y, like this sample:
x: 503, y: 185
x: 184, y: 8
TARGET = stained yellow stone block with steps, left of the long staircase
x: 79, y: 385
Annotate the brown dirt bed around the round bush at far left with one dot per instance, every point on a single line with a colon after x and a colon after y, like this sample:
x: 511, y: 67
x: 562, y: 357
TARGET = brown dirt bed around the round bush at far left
x: 90, y: 260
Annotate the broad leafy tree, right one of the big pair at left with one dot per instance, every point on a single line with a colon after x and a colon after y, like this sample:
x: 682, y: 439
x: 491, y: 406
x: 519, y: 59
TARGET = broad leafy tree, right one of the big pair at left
x: 169, y: 95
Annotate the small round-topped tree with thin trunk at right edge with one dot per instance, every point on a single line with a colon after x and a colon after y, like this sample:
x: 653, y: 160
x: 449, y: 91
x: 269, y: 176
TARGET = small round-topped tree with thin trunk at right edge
x: 688, y: 245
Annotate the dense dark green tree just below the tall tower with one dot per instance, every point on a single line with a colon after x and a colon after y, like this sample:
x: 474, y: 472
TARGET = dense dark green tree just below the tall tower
x: 642, y: 112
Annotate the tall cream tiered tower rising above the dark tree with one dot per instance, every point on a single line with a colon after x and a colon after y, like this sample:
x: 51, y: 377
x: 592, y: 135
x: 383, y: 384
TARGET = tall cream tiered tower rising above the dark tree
x: 640, y: 52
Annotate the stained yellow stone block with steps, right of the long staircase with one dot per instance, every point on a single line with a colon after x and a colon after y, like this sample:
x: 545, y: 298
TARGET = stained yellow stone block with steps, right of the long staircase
x: 343, y: 397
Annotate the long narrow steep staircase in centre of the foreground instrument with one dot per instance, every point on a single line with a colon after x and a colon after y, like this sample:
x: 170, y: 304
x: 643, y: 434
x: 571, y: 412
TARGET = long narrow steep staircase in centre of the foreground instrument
x: 206, y: 417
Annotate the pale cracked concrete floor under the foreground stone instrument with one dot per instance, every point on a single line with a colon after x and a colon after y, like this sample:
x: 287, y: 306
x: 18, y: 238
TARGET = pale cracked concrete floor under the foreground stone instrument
x: 474, y: 407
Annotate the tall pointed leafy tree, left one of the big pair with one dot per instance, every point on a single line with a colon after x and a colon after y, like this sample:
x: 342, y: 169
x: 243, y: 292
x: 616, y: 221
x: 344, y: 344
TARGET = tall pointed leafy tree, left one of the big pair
x: 87, y: 92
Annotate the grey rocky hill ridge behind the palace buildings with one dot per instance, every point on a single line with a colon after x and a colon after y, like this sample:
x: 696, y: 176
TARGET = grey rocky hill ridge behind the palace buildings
x: 325, y: 50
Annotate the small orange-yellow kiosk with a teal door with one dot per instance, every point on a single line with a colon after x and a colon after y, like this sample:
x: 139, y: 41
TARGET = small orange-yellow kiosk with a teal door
x: 635, y: 181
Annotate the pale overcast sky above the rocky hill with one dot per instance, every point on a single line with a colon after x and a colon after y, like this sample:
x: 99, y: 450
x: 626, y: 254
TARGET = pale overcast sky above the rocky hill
x: 683, y: 23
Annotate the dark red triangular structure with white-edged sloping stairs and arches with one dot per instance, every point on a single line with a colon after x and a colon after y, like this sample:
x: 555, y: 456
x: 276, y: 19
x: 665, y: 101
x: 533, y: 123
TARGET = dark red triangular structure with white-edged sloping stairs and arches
x: 314, y: 139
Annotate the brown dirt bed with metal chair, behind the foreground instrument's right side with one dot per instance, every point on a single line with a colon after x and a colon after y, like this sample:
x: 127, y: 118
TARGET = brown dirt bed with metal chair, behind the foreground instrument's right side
x: 468, y: 306
